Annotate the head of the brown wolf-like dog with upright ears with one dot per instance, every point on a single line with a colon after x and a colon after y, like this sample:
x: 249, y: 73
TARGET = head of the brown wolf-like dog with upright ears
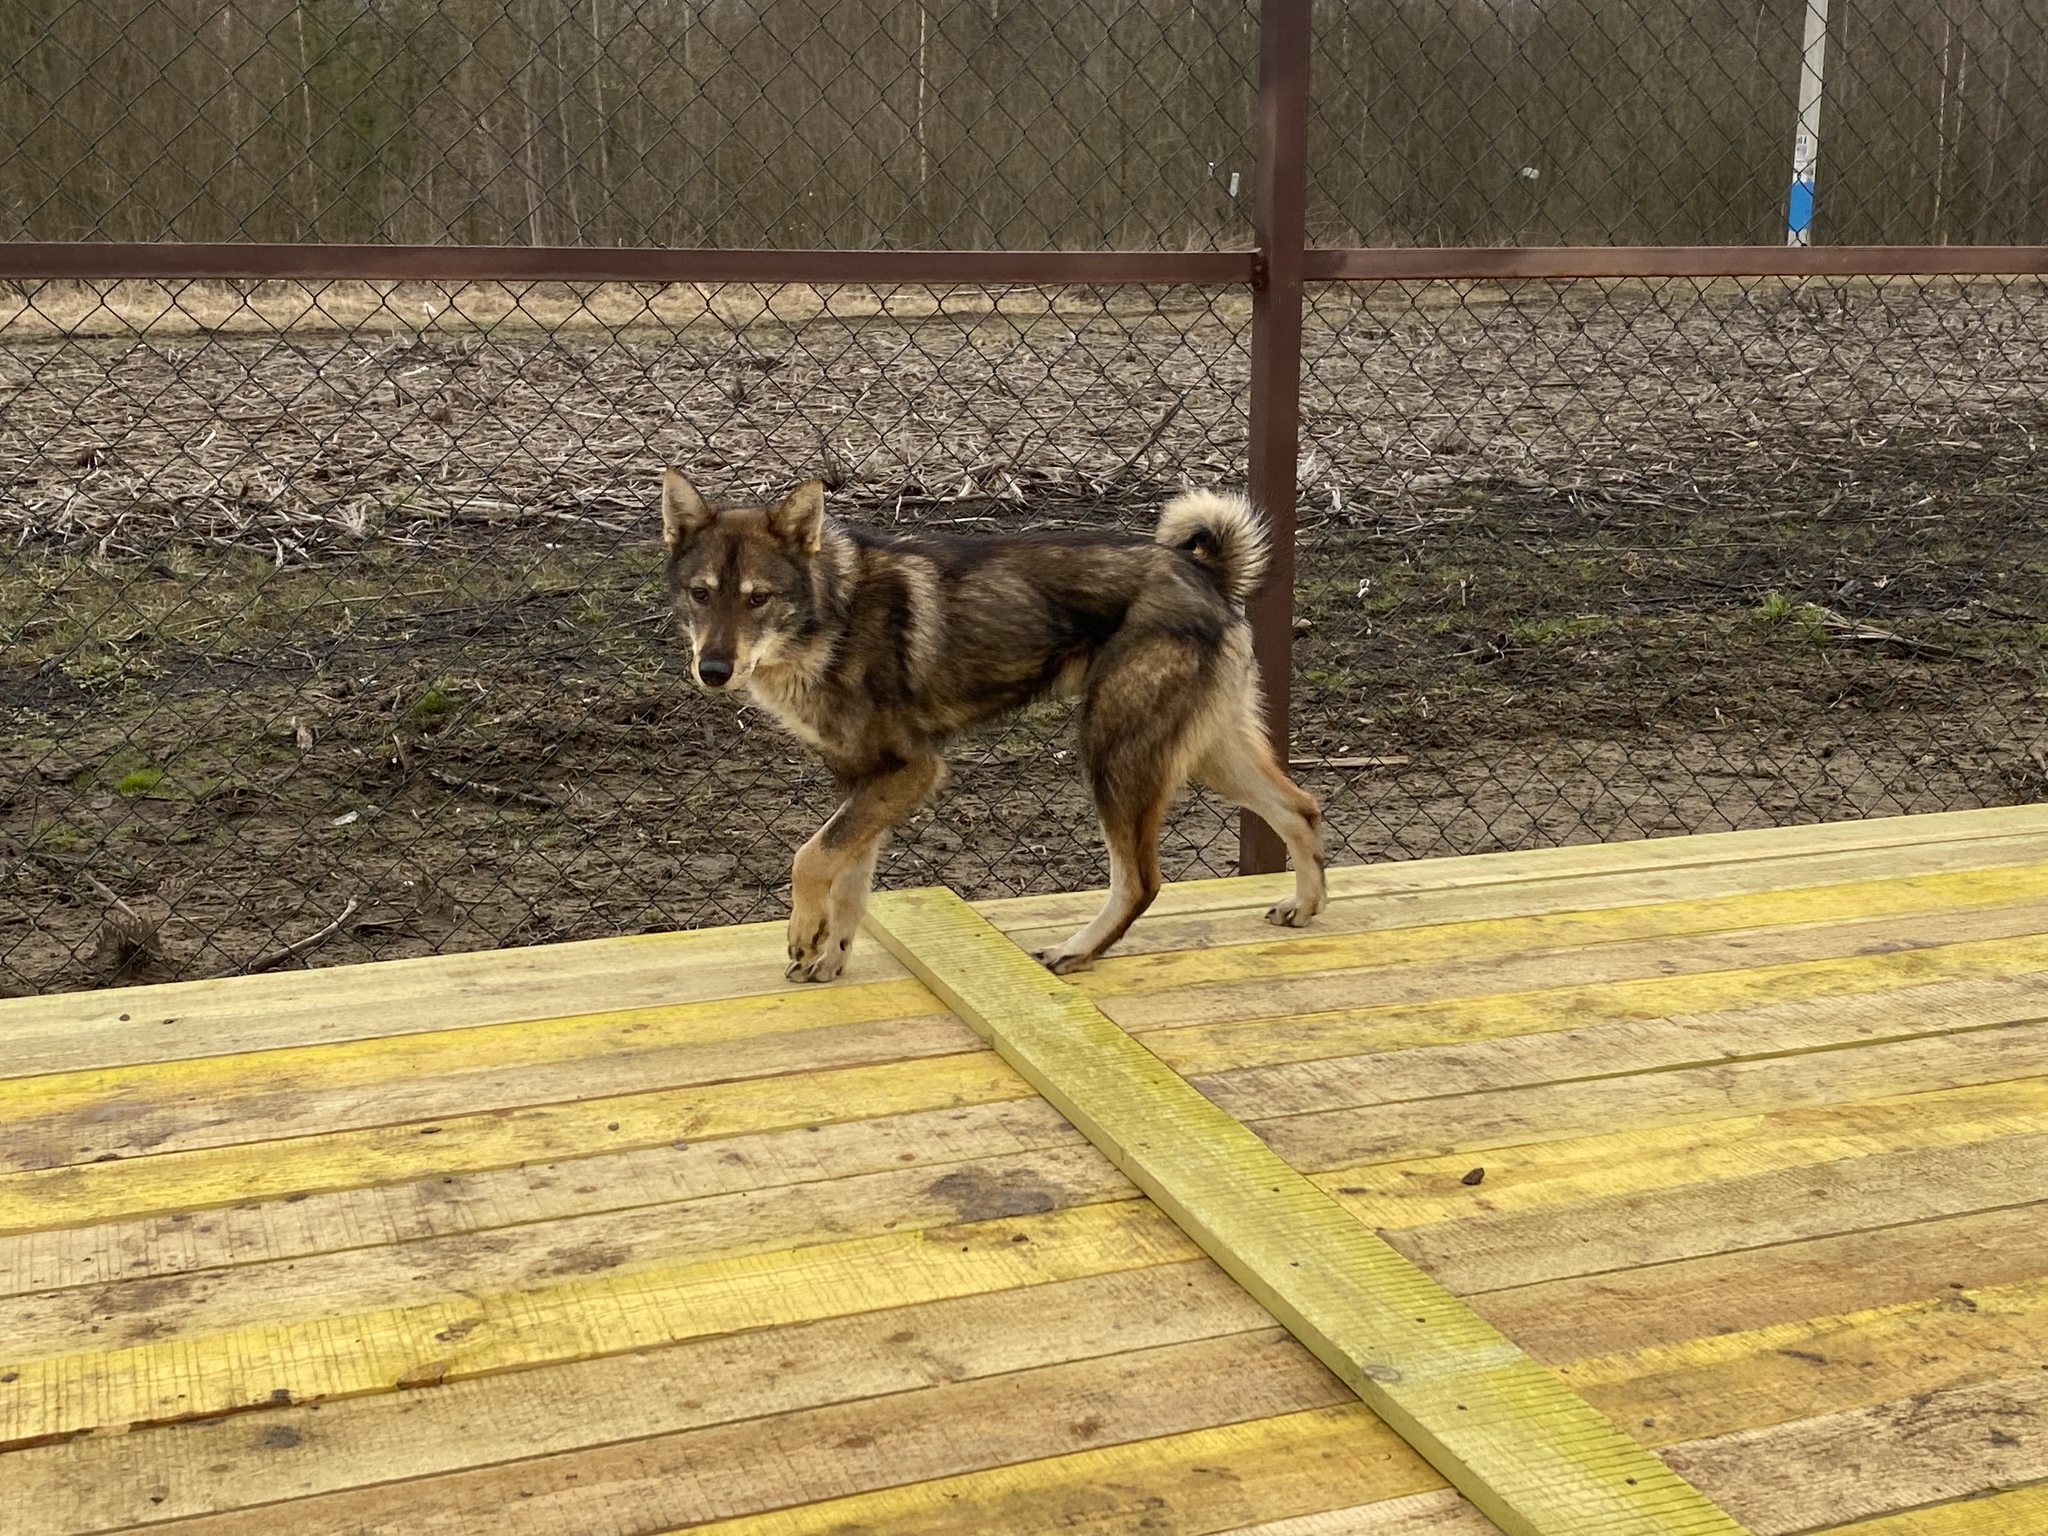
x: 740, y: 577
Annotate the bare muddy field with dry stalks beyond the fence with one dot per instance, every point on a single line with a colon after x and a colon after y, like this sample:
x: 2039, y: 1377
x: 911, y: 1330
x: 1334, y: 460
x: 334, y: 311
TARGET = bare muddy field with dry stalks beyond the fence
x: 329, y: 613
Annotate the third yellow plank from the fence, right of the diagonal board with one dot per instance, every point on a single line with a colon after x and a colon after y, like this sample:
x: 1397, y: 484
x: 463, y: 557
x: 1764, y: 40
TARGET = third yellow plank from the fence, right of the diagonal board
x: 1412, y: 1193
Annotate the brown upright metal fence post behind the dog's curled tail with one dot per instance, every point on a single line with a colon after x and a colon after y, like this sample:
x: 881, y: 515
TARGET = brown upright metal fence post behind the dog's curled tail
x: 1279, y: 228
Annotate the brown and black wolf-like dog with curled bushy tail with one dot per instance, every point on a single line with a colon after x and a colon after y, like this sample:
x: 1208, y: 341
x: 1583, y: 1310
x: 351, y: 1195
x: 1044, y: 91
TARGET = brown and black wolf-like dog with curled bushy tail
x: 882, y: 650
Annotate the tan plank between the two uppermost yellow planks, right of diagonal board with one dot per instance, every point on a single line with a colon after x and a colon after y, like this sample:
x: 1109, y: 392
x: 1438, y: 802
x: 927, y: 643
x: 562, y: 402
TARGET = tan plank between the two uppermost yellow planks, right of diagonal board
x: 1480, y: 976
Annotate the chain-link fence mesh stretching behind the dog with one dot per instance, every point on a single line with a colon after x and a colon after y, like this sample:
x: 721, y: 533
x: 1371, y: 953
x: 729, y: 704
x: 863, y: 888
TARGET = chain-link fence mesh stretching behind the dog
x: 333, y: 626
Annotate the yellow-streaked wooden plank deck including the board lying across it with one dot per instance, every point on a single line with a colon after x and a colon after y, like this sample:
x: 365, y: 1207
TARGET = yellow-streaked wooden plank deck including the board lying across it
x: 1725, y: 1156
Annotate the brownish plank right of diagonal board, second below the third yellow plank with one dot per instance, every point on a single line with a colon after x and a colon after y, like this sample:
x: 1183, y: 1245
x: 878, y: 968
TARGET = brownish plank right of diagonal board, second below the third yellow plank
x: 1736, y: 1293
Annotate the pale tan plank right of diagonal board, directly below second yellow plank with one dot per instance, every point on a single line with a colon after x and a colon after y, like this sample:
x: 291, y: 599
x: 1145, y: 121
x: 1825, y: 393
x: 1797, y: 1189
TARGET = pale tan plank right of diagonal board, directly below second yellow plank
x: 1627, y: 1048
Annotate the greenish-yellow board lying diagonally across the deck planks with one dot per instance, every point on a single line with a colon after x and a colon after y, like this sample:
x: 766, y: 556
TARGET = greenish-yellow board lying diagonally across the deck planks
x: 1504, y: 1431
